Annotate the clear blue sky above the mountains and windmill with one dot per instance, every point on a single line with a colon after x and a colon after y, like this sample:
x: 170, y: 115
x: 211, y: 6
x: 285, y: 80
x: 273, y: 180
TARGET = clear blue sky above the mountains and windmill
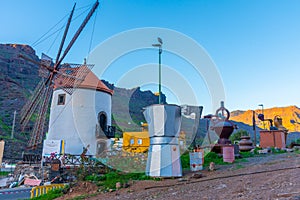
x: 254, y: 44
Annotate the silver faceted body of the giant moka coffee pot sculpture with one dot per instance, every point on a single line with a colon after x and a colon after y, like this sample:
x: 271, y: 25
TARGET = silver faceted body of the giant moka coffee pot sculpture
x: 164, y: 123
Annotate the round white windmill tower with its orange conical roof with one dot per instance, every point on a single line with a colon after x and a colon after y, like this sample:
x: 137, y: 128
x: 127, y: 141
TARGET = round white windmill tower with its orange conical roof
x: 80, y: 119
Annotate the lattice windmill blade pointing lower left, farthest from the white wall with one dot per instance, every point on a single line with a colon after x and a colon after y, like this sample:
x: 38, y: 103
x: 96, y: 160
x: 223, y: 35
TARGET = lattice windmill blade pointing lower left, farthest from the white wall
x: 32, y: 104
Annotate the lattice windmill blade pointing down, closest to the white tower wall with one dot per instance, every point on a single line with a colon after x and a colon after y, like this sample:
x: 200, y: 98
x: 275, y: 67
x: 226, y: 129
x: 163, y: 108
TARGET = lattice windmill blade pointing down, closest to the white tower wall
x: 38, y: 131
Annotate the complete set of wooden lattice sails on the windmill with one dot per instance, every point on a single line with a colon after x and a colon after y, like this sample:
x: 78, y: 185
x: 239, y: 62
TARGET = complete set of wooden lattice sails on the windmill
x: 71, y: 74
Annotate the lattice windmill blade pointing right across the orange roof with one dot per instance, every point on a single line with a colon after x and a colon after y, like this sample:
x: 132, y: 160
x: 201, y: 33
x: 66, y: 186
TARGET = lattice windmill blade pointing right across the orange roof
x: 69, y: 78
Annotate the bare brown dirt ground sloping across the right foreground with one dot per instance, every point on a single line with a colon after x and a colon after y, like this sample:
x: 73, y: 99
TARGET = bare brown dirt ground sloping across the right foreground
x: 265, y: 177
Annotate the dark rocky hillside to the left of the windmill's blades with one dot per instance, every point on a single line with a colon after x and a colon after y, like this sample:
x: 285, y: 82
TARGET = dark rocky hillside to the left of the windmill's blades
x: 17, y: 81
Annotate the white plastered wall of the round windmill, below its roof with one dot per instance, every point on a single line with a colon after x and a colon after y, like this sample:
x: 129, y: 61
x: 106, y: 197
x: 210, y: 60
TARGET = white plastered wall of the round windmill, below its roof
x: 75, y: 121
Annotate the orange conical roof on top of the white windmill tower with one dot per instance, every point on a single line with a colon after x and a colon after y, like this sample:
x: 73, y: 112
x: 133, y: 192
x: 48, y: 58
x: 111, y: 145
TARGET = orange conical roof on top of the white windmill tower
x: 91, y: 81
